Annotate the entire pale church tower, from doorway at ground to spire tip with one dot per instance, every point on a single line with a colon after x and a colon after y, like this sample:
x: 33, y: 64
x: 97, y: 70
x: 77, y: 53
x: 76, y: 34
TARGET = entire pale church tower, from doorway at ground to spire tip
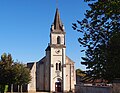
x: 57, y: 55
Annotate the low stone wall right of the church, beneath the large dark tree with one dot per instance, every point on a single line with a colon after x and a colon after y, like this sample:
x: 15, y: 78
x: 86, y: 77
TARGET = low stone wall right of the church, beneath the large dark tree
x: 93, y: 89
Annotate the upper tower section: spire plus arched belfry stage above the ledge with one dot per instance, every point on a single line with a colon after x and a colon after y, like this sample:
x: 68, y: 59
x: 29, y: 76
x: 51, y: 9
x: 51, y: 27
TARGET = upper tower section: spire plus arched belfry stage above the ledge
x: 57, y: 35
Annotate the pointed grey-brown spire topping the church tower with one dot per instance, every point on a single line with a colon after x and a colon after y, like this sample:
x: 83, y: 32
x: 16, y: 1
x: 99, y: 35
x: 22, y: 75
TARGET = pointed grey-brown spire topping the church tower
x: 57, y: 25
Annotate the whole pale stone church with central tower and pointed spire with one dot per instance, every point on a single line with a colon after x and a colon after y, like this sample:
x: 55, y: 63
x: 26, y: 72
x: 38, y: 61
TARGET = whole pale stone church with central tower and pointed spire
x: 55, y: 72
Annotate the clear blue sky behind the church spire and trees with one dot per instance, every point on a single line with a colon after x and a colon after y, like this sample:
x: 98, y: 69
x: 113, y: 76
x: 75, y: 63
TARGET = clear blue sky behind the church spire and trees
x: 25, y: 28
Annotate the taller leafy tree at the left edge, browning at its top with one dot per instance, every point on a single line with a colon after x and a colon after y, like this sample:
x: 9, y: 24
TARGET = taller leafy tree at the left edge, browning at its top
x: 7, y: 73
